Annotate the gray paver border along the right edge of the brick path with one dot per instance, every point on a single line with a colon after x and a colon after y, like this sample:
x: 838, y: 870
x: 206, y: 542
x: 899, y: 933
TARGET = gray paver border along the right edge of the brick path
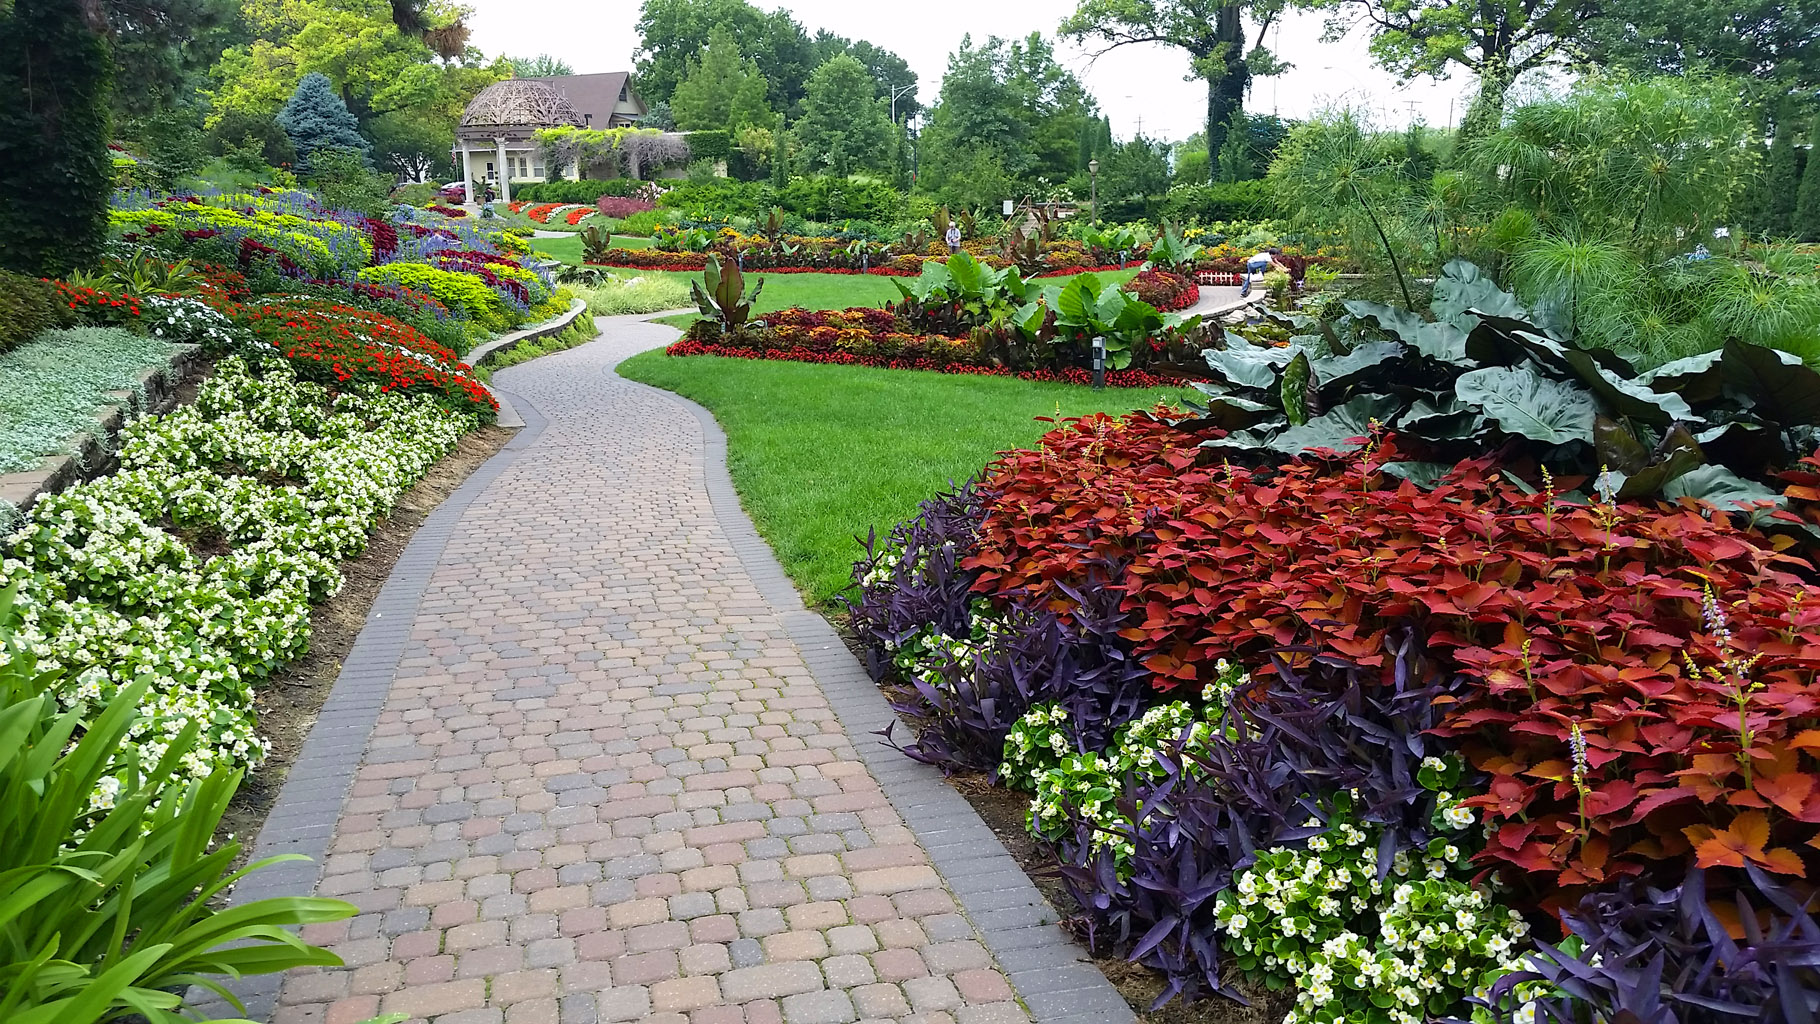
x: 1051, y: 974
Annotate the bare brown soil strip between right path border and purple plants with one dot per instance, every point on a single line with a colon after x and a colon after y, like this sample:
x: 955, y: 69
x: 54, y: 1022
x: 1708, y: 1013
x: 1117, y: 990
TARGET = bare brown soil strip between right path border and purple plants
x: 1004, y: 814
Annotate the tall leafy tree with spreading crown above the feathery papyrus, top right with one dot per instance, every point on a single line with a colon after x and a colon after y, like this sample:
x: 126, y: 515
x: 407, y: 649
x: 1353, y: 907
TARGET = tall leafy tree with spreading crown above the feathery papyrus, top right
x: 1495, y: 43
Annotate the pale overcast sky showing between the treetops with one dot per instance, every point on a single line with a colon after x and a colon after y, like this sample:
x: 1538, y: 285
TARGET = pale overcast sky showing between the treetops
x: 1137, y: 86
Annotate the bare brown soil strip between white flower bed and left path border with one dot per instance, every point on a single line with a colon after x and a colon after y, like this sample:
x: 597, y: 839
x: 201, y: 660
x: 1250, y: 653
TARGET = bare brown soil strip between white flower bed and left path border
x: 292, y: 698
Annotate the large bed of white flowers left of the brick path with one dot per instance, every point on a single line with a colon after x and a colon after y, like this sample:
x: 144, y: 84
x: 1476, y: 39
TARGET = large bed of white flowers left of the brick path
x: 285, y: 477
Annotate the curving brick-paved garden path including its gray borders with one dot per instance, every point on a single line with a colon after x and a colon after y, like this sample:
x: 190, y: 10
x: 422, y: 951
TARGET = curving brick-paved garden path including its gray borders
x: 594, y: 761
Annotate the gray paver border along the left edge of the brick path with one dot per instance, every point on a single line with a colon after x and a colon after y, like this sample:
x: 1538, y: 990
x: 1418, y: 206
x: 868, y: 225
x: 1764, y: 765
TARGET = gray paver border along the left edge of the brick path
x: 303, y: 818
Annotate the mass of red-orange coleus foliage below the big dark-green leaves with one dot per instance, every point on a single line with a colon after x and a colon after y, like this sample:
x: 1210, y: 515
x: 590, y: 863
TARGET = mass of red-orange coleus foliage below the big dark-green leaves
x: 1644, y: 674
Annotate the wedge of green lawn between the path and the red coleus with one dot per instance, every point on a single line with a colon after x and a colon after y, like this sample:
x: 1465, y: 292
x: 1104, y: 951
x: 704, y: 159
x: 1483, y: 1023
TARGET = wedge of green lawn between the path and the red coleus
x: 824, y: 454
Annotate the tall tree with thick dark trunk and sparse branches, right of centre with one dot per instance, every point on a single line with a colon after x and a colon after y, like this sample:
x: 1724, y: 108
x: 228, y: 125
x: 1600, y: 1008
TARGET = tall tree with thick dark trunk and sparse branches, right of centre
x: 1211, y: 32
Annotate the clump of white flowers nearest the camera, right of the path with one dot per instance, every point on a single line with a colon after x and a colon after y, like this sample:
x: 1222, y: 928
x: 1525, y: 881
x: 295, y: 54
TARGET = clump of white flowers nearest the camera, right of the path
x: 1368, y: 950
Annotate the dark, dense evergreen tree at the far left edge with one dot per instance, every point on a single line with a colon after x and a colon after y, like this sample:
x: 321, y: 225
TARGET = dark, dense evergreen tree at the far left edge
x: 56, y: 174
